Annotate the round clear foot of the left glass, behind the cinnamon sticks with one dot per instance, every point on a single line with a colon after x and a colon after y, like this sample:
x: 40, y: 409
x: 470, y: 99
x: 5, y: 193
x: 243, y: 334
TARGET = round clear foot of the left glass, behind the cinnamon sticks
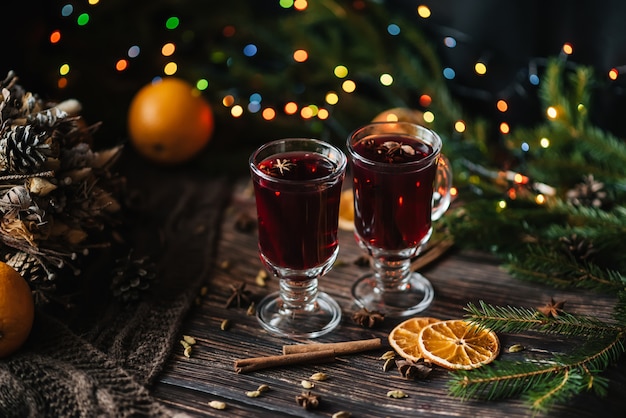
x: 322, y: 318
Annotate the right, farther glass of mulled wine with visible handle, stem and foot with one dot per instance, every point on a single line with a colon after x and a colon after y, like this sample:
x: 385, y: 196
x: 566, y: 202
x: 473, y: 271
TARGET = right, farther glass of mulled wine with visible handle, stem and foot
x: 401, y: 182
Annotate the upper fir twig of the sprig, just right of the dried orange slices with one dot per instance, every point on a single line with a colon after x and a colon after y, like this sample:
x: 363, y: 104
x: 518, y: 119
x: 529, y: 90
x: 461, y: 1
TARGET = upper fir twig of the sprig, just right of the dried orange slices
x: 511, y: 319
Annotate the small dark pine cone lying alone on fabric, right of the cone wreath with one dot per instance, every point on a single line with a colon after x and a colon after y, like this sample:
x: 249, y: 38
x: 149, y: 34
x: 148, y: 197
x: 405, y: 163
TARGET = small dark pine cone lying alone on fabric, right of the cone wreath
x: 131, y: 278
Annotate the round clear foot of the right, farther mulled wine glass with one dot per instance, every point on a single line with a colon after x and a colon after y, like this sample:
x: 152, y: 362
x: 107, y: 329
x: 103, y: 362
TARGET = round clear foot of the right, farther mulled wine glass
x: 415, y: 297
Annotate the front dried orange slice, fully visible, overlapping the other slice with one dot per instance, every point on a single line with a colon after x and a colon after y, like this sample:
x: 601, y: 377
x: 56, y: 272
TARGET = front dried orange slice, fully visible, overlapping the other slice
x: 457, y: 344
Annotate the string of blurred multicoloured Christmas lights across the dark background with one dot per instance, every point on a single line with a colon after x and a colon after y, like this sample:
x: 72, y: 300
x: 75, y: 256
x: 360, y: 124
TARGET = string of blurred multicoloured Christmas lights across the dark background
x: 256, y: 103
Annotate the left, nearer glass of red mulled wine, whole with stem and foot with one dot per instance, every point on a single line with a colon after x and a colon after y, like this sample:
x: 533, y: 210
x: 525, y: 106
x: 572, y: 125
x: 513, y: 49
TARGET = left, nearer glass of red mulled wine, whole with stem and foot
x: 297, y: 184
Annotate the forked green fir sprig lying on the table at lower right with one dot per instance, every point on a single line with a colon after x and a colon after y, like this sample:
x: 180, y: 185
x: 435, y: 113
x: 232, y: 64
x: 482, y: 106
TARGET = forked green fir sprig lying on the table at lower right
x: 545, y: 383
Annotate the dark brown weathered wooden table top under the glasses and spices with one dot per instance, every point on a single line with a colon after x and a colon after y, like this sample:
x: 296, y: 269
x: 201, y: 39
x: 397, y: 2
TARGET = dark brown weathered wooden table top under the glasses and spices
x: 356, y: 383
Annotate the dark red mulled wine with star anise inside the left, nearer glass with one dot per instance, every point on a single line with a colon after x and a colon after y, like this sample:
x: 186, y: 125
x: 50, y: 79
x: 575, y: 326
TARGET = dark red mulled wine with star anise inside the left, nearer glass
x: 297, y: 223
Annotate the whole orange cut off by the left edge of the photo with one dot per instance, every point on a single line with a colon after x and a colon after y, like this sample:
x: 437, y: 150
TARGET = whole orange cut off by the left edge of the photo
x: 17, y: 310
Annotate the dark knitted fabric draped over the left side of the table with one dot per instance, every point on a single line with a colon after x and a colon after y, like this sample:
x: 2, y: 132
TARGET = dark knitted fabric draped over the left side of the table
x: 105, y: 369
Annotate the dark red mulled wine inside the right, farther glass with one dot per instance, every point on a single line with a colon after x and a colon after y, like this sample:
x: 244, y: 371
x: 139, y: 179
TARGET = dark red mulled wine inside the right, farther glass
x: 392, y: 204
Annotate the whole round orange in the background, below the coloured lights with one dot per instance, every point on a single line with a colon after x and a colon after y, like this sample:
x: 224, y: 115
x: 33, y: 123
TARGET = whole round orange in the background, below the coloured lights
x: 169, y: 122
